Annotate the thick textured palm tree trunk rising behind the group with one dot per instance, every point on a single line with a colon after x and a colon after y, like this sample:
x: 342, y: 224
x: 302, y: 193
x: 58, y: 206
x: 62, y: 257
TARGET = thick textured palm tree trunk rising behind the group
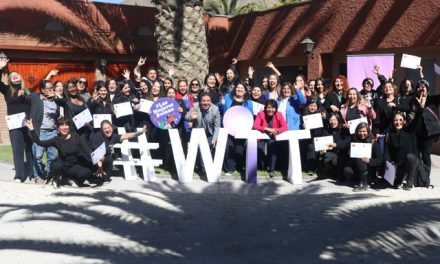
x: 181, y: 37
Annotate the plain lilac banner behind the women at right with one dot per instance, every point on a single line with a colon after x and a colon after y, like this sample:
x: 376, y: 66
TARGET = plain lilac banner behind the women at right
x: 360, y: 67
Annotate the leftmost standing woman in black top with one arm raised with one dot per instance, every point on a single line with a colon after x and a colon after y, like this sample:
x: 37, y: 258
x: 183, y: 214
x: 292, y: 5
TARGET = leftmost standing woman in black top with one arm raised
x: 13, y: 89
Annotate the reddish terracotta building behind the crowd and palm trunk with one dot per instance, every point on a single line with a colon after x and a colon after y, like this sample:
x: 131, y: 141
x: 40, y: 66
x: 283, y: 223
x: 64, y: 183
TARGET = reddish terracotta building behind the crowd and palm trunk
x: 81, y: 38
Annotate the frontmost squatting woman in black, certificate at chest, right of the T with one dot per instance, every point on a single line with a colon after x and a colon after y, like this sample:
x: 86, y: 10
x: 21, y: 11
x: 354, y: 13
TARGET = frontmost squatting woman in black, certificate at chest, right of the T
x: 361, y: 166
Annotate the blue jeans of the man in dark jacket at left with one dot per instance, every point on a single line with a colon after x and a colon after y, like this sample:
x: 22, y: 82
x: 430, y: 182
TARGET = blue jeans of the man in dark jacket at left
x: 38, y: 151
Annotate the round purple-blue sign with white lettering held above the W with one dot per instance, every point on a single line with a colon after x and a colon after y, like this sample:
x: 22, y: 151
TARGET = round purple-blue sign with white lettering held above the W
x: 165, y: 113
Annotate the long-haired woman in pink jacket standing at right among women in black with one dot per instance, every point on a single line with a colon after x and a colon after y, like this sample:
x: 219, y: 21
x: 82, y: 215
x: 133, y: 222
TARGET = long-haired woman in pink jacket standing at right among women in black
x: 356, y: 107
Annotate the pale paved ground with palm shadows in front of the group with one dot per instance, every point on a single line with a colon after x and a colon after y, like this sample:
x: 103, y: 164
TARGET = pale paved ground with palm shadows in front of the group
x: 226, y: 222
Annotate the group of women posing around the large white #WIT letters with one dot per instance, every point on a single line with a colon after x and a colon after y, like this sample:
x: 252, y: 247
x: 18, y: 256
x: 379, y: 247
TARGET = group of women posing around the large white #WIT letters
x: 400, y: 123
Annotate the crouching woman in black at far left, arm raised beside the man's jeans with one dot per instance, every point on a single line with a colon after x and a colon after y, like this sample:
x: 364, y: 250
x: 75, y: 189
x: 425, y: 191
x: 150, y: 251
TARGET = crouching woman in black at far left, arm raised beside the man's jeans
x: 69, y: 163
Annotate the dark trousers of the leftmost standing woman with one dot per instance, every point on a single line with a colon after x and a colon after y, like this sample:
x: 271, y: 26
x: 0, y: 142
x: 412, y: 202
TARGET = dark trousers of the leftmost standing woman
x: 21, y: 148
